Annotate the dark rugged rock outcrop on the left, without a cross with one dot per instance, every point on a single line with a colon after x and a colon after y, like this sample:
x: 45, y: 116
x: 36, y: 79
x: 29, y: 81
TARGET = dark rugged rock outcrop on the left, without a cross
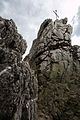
x: 18, y: 85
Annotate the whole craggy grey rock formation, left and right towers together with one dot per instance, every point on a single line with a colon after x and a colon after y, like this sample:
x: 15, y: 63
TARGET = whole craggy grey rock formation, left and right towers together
x: 56, y: 65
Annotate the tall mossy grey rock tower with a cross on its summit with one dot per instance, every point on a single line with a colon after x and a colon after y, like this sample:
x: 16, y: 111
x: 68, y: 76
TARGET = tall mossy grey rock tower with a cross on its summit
x: 57, y: 66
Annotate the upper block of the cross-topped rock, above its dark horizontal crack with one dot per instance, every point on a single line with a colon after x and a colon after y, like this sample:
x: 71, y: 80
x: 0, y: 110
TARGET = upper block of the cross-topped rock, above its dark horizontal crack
x: 52, y: 35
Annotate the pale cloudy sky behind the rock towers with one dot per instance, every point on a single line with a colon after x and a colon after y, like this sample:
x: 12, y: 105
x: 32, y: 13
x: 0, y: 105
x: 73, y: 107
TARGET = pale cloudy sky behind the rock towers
x: 29, y: 14
